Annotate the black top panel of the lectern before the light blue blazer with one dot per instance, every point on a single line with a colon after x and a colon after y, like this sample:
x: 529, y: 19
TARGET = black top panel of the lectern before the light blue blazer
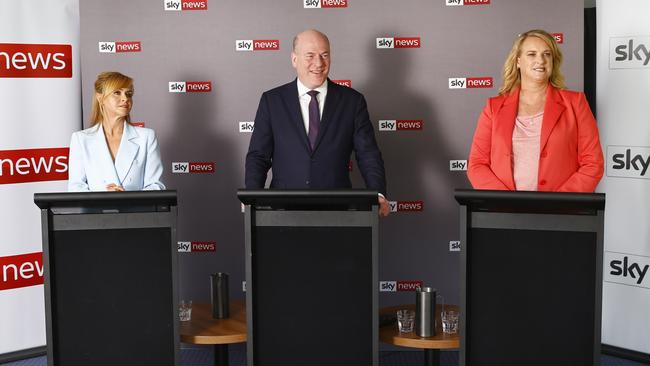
x: 105, y: 199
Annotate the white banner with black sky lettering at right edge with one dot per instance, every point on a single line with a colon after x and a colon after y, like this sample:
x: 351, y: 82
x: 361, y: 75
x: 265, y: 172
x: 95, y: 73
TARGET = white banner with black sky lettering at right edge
x: 623, y: 77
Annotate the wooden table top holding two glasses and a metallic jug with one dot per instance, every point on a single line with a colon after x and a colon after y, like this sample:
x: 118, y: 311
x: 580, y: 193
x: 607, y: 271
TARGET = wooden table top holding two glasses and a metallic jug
x: 390, y: 334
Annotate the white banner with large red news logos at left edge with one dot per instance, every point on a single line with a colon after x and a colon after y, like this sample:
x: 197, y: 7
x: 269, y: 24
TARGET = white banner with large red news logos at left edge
x: 40, y: 94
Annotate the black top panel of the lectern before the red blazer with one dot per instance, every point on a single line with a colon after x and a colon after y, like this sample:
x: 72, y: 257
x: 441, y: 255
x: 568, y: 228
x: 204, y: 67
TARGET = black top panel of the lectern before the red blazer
x: 527, y: 201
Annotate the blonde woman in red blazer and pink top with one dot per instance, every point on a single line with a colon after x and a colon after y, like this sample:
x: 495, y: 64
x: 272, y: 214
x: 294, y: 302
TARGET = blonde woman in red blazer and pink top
x: 536, y: 135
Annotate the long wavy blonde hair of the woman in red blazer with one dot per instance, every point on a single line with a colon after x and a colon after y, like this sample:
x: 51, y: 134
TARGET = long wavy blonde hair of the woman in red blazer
x: 512, y: 75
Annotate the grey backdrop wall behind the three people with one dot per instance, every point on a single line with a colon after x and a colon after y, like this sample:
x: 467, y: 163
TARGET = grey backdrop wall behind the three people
x: 461, y: 41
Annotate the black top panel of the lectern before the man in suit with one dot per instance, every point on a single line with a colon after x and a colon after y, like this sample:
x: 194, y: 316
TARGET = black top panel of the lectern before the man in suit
x: 315, y: 199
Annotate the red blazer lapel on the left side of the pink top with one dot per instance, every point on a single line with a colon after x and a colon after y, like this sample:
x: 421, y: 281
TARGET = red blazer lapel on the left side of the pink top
x: 504, y: 125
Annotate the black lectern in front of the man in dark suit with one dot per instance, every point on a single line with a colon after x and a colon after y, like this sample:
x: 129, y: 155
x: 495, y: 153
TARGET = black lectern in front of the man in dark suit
x: 312, y: 277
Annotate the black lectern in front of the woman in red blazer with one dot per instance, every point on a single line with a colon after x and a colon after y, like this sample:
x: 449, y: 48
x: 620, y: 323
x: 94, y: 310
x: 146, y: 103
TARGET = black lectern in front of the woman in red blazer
x: 531, y: 278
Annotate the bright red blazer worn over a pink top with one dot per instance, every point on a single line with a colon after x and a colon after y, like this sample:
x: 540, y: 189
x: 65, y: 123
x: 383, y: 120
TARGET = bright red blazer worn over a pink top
x: 571, y: 159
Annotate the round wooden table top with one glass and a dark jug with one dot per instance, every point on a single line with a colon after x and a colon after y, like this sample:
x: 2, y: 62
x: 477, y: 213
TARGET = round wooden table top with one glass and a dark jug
x: 203, y: 329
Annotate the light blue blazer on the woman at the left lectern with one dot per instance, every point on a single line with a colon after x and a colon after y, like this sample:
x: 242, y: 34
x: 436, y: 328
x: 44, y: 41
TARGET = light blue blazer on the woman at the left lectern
x: 137, y: 164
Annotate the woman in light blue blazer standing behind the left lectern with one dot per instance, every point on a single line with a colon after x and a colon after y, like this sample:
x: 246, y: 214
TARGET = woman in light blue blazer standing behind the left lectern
x: 114, y: 155
